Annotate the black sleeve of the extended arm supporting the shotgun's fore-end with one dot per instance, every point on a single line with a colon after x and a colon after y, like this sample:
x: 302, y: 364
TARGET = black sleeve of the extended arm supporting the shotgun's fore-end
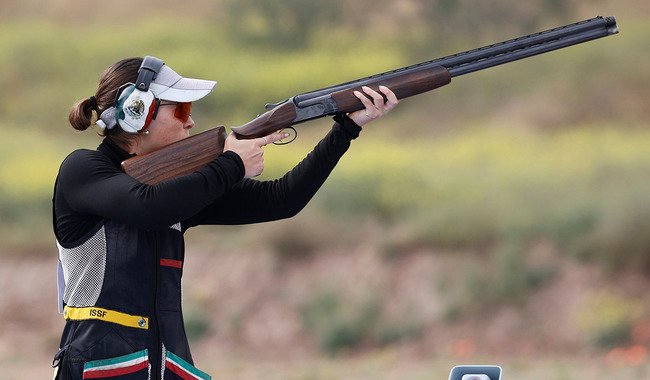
x: 252, y: 201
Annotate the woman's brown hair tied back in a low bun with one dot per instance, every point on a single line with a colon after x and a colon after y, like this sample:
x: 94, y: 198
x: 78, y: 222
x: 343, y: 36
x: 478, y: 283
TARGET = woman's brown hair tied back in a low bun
x: 81, y: 114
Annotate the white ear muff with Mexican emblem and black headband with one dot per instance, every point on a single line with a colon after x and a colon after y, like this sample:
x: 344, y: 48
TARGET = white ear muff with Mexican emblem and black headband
x: 135, y: 104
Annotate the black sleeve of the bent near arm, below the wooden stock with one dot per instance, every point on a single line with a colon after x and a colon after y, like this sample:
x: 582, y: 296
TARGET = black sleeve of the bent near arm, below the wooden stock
x: 92, y: 185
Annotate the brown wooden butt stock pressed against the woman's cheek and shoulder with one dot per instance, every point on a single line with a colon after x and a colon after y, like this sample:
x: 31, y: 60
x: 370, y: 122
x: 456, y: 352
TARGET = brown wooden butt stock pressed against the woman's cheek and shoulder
x: 177, y: 159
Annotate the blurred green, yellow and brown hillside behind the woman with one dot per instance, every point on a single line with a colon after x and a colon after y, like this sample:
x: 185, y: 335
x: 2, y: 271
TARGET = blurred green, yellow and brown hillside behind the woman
x: 503, y: 219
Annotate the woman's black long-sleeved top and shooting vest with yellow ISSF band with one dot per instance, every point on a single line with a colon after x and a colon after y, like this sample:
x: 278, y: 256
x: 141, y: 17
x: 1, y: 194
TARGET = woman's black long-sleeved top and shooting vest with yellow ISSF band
x: 121, y: 250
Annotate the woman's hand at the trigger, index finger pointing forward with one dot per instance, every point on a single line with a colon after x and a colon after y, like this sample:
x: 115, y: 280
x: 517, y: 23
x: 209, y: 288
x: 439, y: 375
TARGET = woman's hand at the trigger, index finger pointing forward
x: 251, y: 152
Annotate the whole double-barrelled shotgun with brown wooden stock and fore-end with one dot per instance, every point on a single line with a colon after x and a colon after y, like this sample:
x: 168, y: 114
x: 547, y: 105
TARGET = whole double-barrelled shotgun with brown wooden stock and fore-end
x: 190, y: 154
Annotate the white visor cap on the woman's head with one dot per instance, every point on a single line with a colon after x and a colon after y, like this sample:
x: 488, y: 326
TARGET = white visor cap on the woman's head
x: 168, y: 85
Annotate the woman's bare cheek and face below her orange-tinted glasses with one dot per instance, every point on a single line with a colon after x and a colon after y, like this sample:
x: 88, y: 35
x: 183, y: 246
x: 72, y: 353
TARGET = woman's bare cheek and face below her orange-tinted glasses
x: 164, y: 130
